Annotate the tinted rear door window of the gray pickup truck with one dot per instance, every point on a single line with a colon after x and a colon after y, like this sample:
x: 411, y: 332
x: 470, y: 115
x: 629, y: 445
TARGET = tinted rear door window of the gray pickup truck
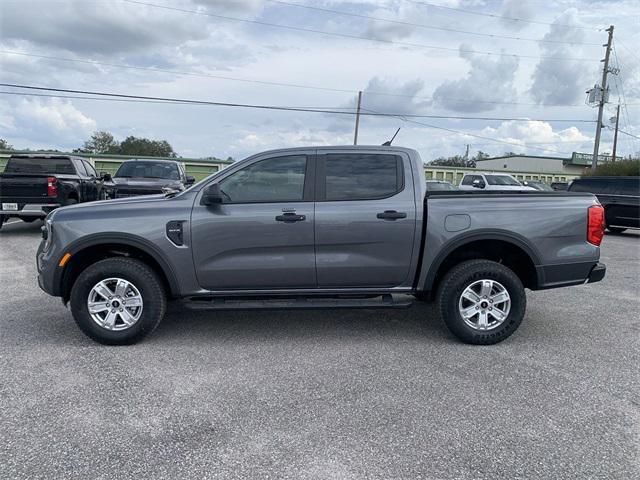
x: 349, y: 176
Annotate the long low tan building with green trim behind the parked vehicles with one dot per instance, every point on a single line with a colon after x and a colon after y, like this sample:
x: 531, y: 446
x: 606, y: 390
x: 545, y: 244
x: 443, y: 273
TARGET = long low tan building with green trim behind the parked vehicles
x: 204, y: 168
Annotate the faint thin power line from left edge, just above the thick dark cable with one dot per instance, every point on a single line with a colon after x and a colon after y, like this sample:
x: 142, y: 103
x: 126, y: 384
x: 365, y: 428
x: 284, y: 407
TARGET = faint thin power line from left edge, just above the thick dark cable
x: 272, y: 83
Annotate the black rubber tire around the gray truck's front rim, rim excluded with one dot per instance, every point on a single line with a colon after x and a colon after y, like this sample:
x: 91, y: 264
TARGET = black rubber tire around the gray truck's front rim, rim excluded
x: 131, y: 270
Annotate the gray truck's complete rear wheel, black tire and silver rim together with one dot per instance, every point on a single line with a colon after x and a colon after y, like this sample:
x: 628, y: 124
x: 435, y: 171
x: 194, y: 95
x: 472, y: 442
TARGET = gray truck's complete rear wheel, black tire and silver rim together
x: 481, y: 302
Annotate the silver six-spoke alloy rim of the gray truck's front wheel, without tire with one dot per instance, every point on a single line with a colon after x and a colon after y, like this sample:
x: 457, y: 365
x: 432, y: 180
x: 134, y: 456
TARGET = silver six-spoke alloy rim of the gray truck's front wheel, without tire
x: 115, y: 304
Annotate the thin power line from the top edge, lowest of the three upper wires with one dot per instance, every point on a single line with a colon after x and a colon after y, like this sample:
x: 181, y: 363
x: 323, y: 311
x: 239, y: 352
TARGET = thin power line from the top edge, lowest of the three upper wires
x: 357, y: 37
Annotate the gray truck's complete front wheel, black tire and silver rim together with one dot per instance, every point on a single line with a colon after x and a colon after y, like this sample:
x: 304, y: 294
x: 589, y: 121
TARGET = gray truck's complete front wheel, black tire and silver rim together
x: 118, y: 301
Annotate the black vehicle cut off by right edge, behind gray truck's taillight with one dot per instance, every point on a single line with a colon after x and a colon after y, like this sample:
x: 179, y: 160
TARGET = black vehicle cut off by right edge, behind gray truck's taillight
x: 620, y: 197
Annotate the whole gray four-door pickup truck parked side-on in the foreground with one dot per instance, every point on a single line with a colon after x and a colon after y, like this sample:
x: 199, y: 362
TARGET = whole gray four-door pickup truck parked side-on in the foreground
x: 327, y: 227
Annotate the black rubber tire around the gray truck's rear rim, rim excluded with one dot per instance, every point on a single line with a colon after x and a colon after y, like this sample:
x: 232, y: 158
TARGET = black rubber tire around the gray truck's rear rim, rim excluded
x: 464, y: 275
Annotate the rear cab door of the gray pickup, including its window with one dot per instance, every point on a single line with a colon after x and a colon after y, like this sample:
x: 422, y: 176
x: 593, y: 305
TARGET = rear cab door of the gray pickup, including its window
x: 365, y: 220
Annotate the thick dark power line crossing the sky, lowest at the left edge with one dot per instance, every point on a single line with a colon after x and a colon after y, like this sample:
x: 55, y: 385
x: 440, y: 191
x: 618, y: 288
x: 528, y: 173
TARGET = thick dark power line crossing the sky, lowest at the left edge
x: 334, y: 110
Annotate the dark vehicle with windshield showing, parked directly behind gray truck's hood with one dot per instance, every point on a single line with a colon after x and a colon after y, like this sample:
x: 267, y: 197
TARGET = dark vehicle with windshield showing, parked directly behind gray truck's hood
x: 148, y: 177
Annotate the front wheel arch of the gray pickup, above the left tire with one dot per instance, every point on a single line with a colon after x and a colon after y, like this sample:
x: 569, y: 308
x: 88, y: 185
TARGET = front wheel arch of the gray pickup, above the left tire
x: 92, y: 248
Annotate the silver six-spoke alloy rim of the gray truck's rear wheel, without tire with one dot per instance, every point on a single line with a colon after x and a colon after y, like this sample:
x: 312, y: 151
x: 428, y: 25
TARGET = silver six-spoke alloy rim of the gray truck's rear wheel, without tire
x: 484, y: 304
